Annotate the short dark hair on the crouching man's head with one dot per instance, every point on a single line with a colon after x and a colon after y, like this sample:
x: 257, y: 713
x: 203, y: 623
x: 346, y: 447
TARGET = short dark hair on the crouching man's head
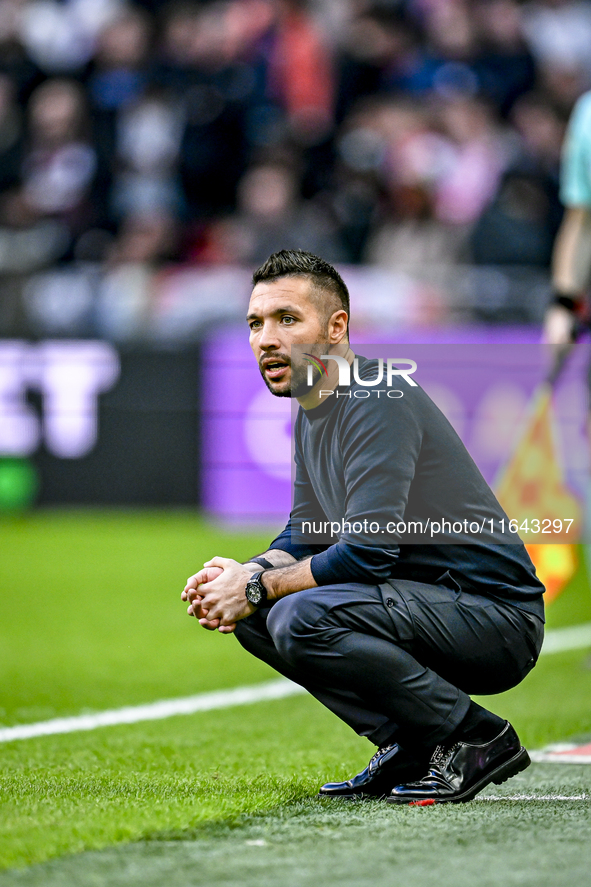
x: 297, y: 262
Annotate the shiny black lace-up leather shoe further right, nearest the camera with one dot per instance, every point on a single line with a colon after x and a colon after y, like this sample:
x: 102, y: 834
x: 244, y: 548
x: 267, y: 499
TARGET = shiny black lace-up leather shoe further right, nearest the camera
x: 458, y: 772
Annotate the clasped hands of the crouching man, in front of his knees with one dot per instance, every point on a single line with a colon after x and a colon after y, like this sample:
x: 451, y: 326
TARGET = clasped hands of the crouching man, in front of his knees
x: 216, y: 594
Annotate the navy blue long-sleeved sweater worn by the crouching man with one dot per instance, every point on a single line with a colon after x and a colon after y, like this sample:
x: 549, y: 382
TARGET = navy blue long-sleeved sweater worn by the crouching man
x: 387, y: 460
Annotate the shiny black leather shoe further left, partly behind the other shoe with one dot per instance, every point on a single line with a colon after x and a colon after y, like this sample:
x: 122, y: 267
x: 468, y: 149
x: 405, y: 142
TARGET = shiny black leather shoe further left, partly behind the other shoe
x: 389, y: 766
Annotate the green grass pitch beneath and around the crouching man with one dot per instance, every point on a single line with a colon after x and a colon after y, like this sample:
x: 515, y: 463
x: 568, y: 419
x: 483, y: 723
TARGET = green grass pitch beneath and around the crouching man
x: 92, y: 619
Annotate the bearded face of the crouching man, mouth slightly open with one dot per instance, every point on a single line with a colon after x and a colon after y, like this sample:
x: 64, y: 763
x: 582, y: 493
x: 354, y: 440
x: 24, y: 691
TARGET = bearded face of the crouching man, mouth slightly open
x: 281, y: 314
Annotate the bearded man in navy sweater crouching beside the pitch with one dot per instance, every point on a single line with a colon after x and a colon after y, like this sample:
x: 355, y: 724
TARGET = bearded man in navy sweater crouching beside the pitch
x: 392, y: 638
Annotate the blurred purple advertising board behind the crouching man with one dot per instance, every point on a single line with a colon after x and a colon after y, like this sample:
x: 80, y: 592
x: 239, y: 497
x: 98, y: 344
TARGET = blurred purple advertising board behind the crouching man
x: 483, y: 379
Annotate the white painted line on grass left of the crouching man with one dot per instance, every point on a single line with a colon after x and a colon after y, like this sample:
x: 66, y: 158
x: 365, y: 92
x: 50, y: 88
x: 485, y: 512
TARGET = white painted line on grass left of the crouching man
x: 155, y: 711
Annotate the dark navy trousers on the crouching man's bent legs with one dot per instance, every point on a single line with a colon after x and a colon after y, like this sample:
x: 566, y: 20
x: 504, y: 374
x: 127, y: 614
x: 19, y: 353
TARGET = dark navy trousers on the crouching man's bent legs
x: 397, y: 660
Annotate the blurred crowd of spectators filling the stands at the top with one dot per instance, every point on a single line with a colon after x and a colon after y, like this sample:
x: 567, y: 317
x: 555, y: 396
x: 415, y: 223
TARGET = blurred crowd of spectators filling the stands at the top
x: 396, y: 132
